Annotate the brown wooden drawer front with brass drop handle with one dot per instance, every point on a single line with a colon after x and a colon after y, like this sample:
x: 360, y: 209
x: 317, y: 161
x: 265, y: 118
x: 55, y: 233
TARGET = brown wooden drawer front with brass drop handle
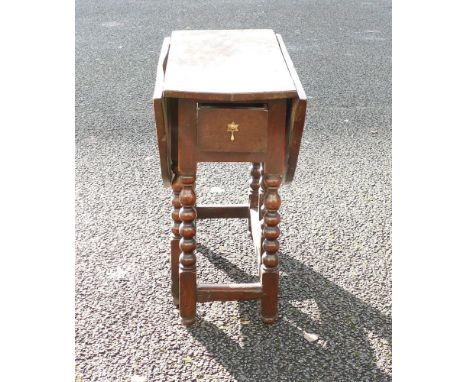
x: 232, y: 128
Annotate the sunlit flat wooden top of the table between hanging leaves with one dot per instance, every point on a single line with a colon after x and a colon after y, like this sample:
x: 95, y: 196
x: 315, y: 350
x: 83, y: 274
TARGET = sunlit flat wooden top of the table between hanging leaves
x: 227, y: 65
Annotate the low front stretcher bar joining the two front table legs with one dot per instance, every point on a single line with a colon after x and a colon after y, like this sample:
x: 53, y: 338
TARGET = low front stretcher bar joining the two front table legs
x: 228, y: 292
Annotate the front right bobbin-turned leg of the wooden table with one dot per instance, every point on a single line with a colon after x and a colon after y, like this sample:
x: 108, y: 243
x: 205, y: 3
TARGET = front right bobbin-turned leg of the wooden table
x: 270, y: 246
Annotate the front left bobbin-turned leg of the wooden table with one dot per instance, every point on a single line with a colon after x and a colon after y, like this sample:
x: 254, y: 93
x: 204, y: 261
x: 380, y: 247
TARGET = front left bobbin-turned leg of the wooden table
x: 187, y: 267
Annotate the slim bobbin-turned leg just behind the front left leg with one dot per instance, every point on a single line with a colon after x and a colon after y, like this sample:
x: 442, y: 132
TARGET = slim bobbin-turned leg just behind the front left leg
x: 175, y: 249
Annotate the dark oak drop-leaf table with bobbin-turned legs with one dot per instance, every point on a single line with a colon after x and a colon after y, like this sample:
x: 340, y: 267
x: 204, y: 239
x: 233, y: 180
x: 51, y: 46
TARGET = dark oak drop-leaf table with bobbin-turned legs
x: 227, y: 96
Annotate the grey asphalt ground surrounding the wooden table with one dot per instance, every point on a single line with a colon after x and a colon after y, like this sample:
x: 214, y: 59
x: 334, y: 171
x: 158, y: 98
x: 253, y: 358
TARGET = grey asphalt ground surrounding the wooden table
x: 335, y: 257
